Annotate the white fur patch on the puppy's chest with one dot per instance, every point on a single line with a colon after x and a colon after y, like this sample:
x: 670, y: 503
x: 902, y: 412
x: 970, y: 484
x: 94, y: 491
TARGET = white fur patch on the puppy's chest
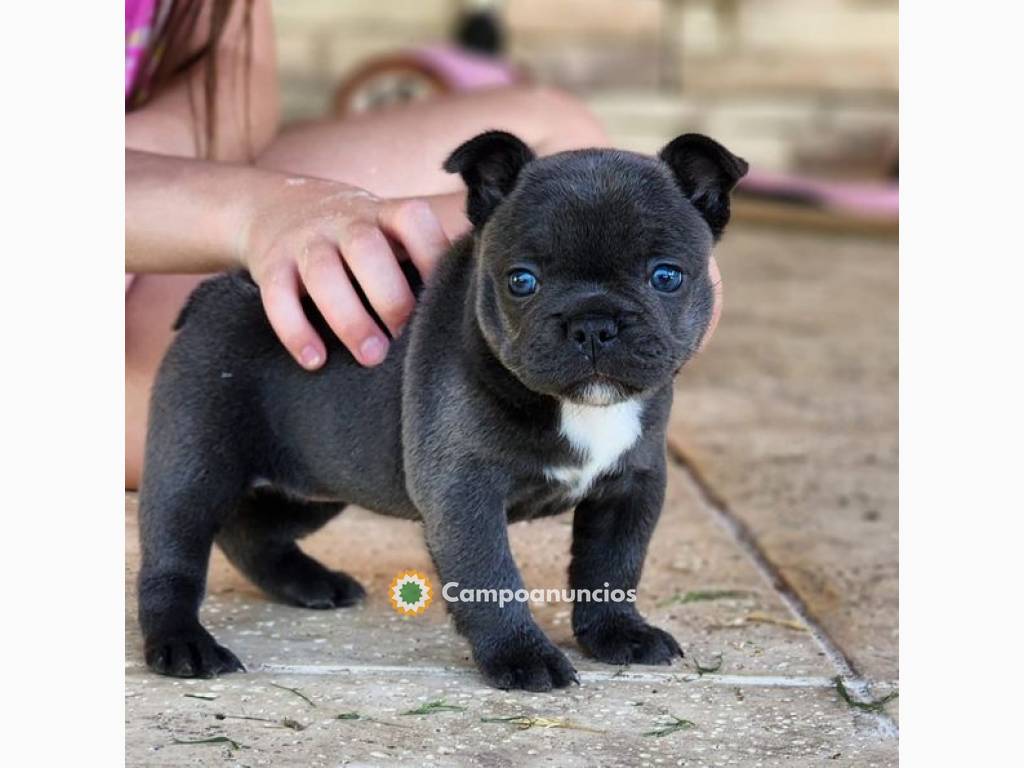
x: 602, y: 435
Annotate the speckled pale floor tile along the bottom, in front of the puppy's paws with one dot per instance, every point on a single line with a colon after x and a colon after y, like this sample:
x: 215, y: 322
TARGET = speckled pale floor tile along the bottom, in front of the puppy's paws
x: 748, y: 727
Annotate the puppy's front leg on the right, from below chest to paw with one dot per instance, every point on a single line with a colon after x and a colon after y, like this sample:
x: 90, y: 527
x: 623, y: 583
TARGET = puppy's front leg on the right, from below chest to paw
x: 611, y: 533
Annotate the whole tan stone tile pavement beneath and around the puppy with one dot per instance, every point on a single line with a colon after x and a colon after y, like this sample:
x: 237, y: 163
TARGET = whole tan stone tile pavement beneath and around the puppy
x: 775, y: 565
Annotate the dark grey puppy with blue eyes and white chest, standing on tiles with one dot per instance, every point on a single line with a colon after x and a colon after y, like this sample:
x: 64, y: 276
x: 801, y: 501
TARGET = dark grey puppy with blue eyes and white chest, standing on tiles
x: 536, y: 376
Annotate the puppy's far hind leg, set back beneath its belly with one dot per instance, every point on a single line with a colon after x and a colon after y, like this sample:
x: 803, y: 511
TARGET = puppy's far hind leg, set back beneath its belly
x: 260, y: 540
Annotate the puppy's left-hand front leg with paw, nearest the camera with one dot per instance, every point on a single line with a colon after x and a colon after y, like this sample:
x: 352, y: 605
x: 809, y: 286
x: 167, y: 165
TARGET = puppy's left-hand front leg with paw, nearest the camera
x: 467, y: 533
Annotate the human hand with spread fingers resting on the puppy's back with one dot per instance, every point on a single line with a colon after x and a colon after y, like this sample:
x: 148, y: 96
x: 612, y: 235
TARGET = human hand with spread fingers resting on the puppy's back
x: 303, y: 237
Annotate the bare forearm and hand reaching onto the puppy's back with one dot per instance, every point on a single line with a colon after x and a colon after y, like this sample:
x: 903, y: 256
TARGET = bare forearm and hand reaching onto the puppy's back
x: 294, y: 235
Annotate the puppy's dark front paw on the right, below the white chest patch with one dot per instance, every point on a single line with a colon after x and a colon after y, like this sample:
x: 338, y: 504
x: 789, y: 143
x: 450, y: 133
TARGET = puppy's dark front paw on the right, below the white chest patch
x: 622, y: 638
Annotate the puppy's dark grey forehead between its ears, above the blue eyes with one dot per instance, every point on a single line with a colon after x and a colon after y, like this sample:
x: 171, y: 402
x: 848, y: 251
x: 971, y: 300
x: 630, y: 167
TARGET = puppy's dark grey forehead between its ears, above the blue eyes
x: 595, y: 214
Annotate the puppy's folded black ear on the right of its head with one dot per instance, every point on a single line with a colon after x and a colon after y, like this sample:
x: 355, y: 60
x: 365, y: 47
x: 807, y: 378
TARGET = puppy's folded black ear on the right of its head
x: 707, y: 173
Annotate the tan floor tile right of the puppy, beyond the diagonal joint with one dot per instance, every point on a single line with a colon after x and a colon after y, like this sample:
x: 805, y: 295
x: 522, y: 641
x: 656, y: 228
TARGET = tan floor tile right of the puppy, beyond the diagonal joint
x: 792, y: 416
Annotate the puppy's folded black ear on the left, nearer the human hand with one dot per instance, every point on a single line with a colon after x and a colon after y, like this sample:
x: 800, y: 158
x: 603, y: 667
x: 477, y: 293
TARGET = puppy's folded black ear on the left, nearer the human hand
x: 490, y: 165
